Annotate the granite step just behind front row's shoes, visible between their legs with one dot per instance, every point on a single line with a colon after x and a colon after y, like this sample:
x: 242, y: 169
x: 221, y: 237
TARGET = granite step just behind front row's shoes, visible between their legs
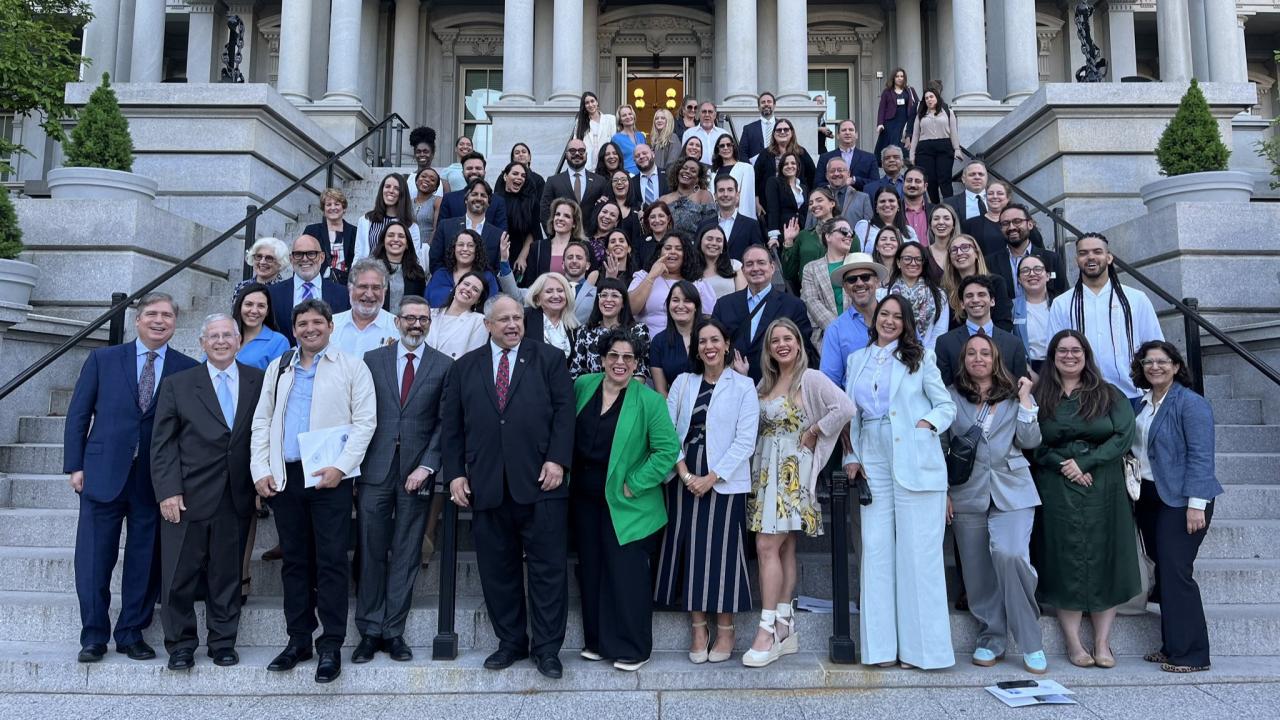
x: 54, y: 618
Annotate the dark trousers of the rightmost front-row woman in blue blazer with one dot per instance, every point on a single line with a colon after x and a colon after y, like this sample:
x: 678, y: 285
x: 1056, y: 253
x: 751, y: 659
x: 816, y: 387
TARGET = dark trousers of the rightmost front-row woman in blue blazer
x: 1183, y: 630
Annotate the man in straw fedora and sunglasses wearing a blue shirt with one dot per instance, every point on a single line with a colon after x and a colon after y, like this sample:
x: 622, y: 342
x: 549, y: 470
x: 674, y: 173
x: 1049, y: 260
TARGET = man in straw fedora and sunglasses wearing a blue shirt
x: 861, y: 277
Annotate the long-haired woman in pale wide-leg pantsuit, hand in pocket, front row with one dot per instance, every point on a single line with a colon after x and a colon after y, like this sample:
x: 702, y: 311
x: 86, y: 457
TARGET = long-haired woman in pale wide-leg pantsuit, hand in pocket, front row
x: 903, y: 407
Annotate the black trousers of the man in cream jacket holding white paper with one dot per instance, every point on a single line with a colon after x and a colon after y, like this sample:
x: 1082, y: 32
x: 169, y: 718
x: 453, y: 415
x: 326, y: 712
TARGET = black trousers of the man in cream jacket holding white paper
x: 316, y: 530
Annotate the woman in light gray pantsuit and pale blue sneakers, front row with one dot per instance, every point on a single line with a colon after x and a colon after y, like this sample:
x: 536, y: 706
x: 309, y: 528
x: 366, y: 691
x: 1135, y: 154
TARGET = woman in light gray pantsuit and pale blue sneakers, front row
x: 993, y: 513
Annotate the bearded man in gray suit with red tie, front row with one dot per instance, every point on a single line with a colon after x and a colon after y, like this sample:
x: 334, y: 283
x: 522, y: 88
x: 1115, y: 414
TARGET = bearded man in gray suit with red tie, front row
x: 396, y: 481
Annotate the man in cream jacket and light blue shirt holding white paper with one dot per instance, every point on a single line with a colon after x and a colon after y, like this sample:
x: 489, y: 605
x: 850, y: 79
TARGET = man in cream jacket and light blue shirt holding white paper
x: 314, y: 389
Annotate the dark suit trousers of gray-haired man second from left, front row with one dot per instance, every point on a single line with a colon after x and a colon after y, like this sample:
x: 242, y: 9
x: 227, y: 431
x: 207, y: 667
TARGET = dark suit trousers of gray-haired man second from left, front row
x: 203, y: 555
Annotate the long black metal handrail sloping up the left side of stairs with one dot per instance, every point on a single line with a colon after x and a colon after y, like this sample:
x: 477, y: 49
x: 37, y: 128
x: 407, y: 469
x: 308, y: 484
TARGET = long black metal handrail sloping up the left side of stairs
x: 120, y: 307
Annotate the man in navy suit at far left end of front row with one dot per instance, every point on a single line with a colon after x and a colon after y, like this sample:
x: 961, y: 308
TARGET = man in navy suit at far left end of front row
x: 108, y: 454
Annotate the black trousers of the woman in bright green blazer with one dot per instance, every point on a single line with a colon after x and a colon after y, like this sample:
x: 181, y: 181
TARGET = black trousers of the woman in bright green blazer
x: 616, y: 584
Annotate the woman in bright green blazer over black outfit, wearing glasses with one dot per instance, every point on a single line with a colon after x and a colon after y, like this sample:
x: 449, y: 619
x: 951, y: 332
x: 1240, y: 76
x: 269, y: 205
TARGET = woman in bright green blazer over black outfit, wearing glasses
x: 624, y: 449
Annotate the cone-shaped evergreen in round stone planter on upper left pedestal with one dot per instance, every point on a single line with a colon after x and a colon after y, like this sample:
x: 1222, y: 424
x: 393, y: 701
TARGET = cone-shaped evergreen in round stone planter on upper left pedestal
x: 99, y: 158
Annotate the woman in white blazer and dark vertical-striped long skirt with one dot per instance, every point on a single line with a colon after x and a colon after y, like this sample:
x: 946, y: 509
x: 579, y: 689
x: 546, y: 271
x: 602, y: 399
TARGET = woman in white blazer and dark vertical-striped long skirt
x: 702, y: 567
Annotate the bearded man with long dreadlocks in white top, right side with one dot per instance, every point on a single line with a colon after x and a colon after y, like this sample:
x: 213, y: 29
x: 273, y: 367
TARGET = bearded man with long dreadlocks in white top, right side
x: 1117, y: 320
